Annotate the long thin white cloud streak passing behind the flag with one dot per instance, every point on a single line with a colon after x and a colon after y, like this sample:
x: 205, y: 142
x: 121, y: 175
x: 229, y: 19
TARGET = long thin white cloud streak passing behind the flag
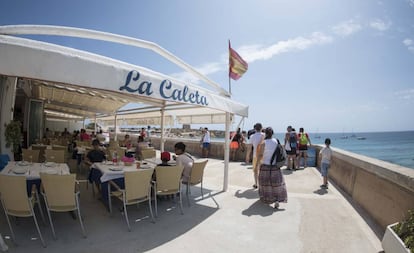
x: 252, y: 53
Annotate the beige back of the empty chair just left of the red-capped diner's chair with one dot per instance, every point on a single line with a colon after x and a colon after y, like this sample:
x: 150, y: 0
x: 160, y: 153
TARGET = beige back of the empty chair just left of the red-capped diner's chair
x: 137, y: 184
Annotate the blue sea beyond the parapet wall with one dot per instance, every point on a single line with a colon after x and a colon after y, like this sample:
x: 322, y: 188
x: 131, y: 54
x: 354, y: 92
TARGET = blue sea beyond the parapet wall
x: 393, y: 147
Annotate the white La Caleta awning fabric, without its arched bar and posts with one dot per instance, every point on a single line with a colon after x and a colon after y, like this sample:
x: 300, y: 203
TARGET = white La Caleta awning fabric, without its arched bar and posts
x: 99, y: 83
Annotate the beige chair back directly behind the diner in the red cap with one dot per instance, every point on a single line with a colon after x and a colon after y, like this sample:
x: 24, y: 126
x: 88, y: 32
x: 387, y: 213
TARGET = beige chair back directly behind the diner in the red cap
x: 168, y: 177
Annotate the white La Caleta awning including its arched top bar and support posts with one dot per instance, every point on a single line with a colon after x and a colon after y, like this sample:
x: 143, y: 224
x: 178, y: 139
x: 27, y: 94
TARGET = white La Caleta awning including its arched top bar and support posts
x: 83, y: 84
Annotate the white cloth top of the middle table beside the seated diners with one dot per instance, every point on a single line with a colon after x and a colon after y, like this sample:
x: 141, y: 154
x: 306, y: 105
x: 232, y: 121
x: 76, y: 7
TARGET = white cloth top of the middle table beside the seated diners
x: 110, y: 171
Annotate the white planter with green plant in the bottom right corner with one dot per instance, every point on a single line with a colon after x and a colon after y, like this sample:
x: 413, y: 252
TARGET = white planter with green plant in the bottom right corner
x: 399, y: 237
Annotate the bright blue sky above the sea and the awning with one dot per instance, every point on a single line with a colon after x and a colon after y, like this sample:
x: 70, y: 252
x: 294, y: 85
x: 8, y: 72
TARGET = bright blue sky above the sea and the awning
x: 327, y: 66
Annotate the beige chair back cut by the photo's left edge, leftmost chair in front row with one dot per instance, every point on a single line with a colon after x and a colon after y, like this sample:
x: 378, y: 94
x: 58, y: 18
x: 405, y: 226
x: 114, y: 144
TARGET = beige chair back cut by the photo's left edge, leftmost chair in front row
x: 13, y: 193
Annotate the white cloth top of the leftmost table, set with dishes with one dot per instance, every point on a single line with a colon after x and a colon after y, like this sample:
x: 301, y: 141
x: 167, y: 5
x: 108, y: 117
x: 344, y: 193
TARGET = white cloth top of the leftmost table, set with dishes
x: 32, y: 170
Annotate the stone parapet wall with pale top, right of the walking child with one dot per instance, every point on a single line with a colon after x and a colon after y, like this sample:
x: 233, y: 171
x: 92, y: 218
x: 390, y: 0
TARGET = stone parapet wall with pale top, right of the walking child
x: 384, y: 190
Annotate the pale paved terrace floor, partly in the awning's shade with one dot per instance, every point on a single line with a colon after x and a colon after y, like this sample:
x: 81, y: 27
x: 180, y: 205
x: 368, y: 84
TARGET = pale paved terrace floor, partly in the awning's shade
x: 314, y: 220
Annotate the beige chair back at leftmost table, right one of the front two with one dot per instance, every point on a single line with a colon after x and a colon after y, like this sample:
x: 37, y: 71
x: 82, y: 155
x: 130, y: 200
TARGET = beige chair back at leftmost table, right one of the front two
x: 59, y: 191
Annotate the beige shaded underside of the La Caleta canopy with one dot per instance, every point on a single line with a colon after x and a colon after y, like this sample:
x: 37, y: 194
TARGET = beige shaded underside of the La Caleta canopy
x: 72, y: 102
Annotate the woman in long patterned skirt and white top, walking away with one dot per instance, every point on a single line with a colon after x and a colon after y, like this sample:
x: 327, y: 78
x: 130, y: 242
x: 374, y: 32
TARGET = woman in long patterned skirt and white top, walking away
x: 272, y: 187
